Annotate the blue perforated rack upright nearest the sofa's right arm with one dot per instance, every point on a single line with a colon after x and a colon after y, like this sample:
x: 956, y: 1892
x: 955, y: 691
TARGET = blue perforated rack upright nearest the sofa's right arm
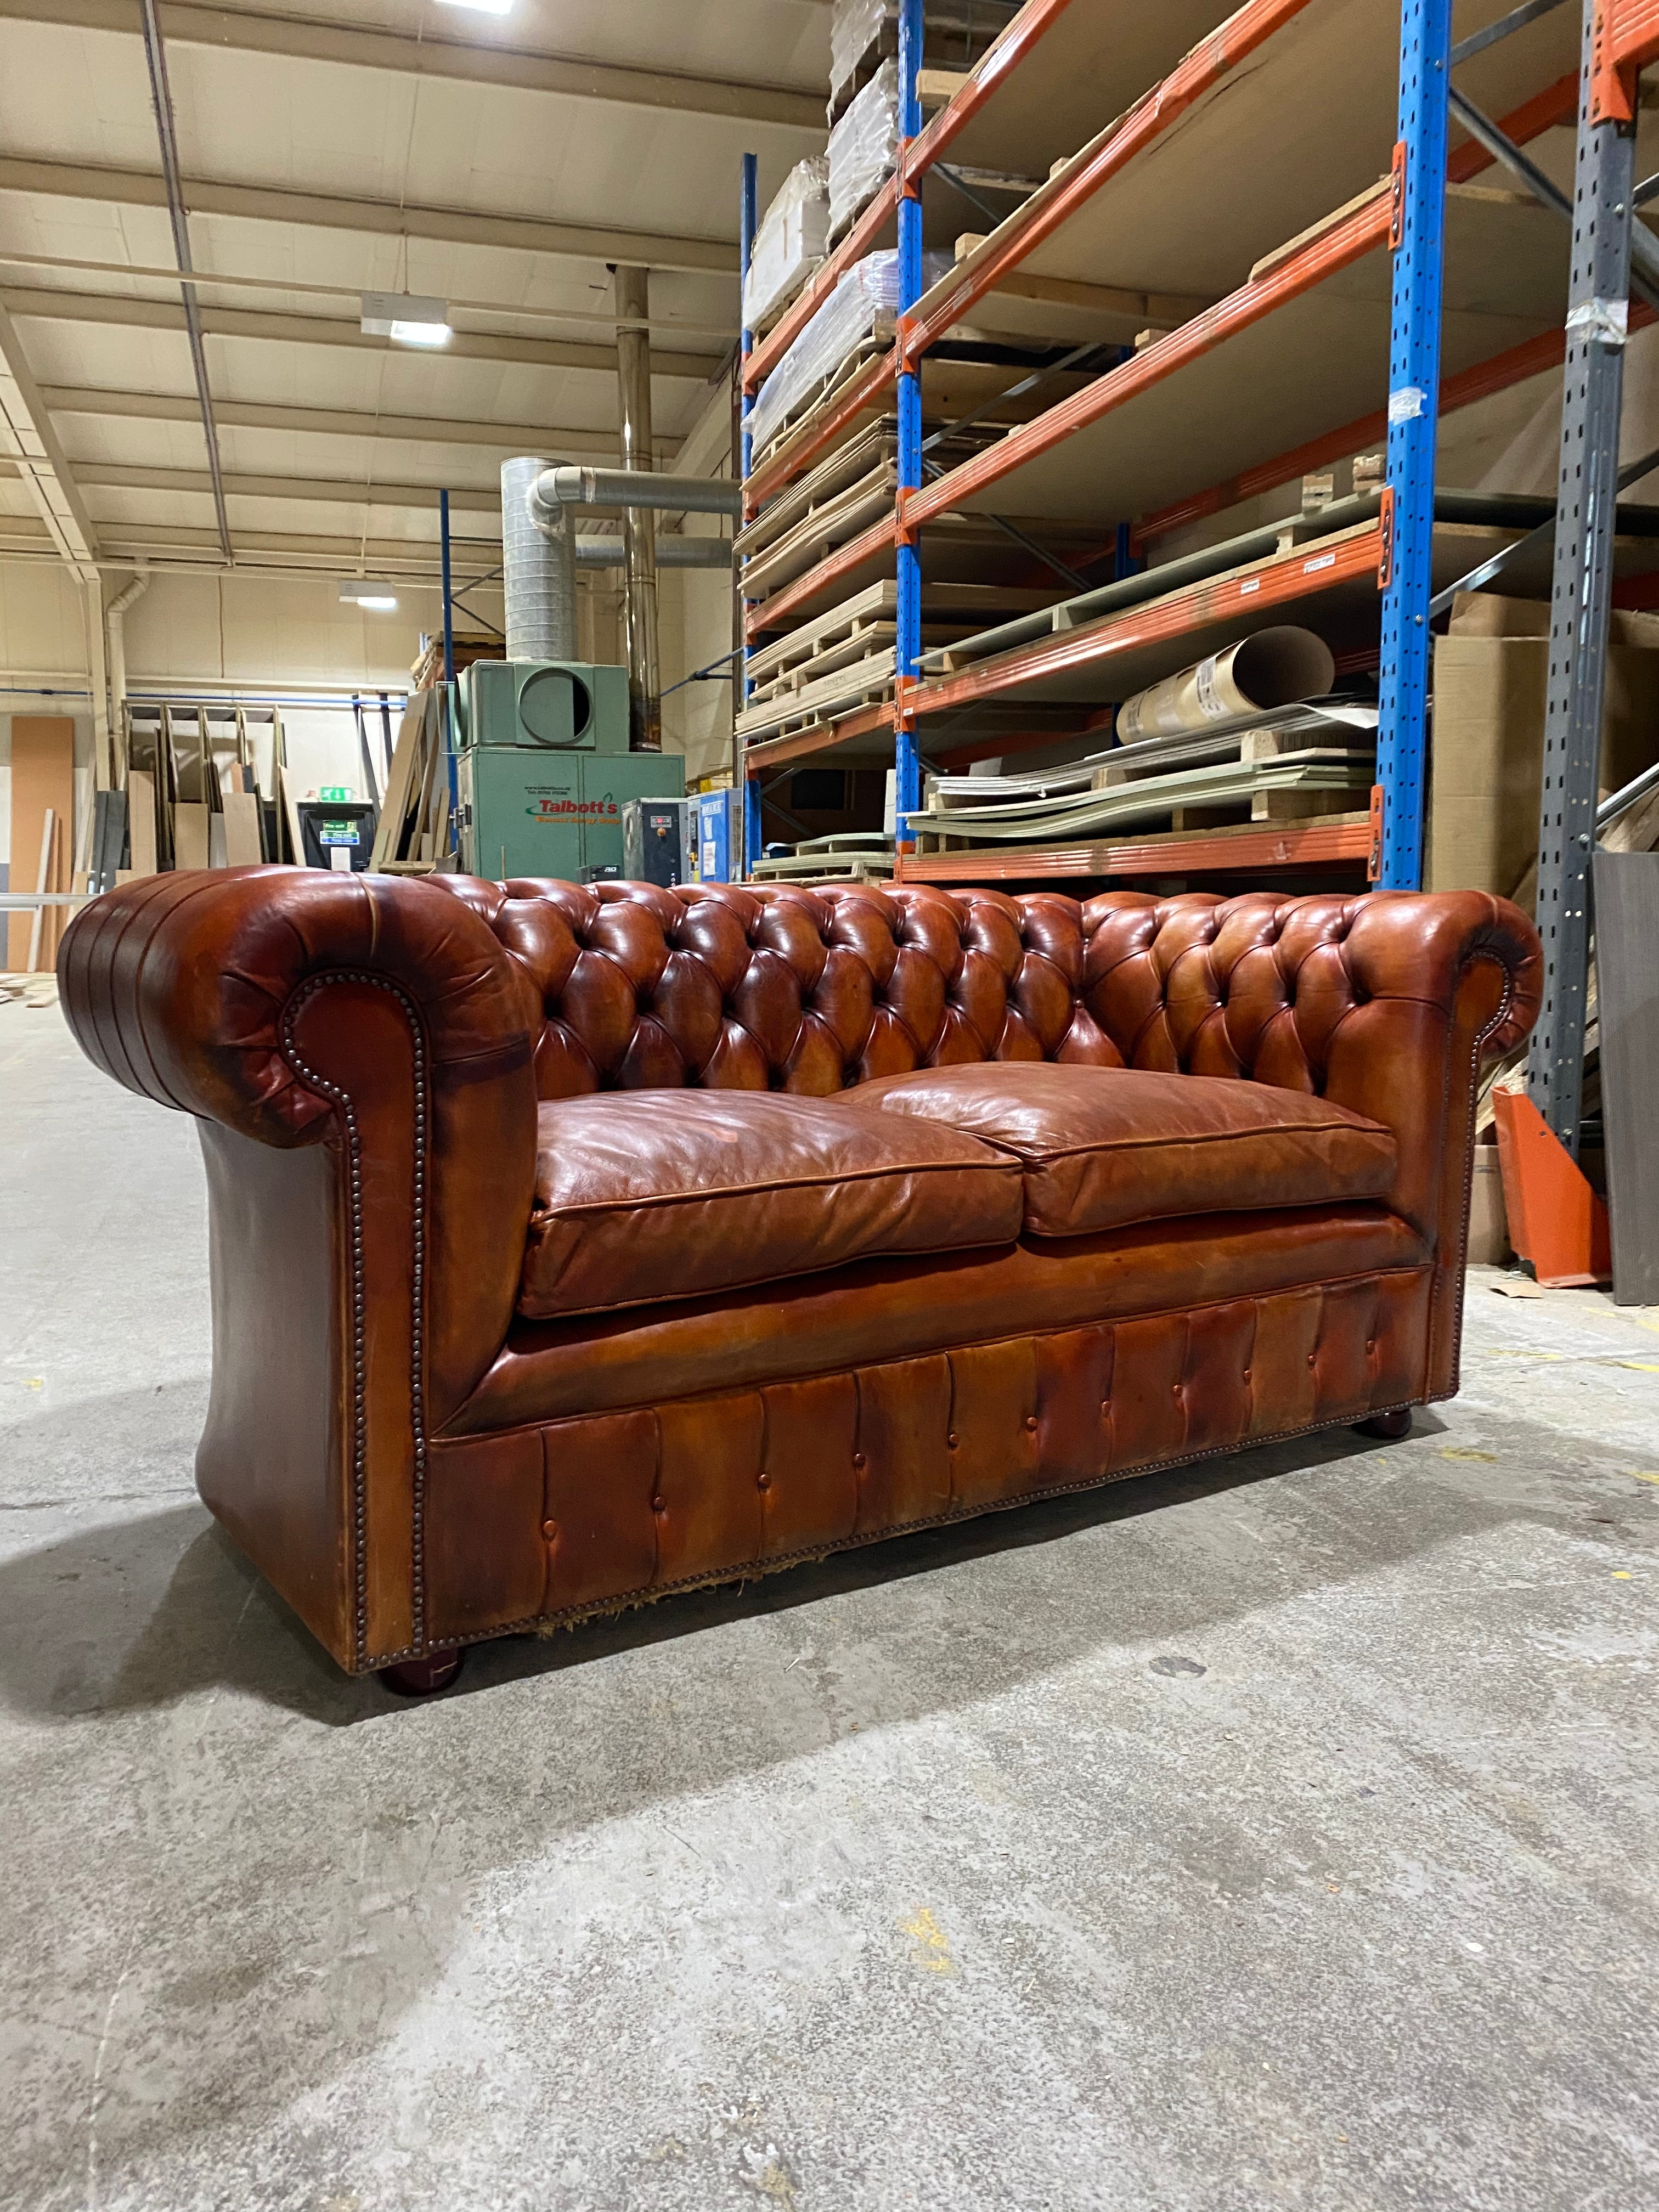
x: 1417, y: 233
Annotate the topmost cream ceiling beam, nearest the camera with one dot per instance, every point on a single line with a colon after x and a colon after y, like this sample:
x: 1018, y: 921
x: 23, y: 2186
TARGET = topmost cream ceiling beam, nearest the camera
x: 446, y: 59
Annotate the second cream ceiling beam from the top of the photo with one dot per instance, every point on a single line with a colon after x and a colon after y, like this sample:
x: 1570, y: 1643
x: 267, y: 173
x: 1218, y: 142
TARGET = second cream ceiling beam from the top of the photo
x: 373, y: 218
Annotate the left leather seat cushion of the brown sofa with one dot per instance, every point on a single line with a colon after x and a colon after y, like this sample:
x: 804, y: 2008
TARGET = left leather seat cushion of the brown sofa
x: 649, y: 1196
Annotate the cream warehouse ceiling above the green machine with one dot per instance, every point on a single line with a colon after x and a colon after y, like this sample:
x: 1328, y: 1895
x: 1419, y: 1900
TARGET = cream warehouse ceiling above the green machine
x: 413, y: 145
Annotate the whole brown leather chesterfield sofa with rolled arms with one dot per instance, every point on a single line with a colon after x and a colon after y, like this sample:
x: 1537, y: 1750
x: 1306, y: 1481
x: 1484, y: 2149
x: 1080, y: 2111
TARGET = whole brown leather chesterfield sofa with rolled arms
x: 574, y: 1246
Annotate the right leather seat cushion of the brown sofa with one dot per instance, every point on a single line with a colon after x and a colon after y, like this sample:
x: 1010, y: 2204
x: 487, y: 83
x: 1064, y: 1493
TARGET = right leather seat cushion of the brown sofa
x: 1109, y: 1147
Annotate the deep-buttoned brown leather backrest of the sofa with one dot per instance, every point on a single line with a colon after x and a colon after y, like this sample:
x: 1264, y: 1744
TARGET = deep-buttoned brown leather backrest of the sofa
x: 817, y: 990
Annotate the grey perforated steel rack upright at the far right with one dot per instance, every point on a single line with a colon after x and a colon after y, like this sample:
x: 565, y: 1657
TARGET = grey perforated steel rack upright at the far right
x: 1598, y: 302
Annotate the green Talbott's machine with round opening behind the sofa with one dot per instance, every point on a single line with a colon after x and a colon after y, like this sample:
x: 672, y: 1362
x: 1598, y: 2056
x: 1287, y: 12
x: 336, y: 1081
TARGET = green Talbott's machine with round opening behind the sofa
x: 543, y: 769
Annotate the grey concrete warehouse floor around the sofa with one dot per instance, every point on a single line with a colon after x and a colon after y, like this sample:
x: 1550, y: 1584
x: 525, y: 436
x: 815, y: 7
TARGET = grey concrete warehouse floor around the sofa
x: 1282, y: 1835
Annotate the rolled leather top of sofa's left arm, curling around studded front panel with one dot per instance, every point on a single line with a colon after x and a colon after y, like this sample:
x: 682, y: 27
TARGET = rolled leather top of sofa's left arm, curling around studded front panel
x: 180, y: 988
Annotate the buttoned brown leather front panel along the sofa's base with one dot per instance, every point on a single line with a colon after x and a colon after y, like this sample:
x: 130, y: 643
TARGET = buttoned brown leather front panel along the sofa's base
x: 556, y: 1521
